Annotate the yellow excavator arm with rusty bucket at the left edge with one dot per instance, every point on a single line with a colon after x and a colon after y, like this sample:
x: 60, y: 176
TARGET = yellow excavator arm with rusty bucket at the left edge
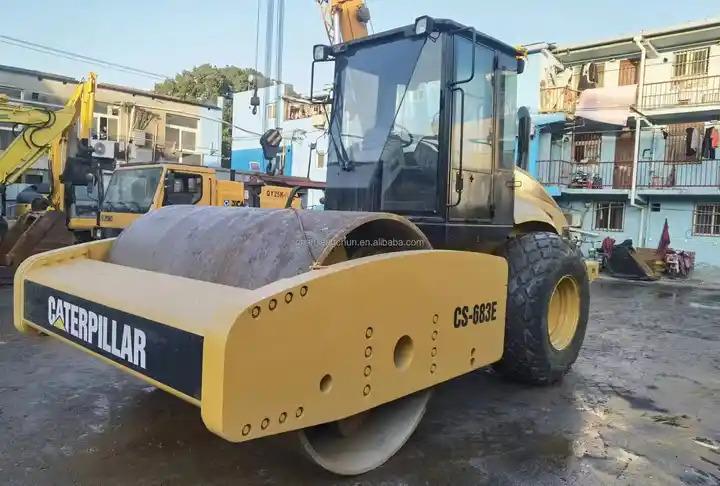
x: 50, y: 222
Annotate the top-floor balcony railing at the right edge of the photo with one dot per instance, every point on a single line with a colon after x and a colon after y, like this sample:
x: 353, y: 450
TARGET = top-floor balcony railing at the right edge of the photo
x: 695, y: 91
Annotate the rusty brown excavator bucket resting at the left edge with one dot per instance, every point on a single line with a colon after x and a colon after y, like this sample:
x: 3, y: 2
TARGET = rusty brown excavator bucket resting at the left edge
x: 34, y: 232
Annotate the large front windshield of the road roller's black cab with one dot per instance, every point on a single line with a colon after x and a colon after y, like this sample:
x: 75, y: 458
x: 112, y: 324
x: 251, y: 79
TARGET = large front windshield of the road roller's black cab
x: 384, y: 143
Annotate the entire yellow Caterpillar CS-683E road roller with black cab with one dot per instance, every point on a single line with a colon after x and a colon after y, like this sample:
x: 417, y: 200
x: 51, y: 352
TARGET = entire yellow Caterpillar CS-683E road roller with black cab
x: 434, y: 257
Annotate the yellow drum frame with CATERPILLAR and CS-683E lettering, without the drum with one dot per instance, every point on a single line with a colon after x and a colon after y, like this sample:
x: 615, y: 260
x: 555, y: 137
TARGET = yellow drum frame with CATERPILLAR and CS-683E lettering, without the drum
x: 345, y: 357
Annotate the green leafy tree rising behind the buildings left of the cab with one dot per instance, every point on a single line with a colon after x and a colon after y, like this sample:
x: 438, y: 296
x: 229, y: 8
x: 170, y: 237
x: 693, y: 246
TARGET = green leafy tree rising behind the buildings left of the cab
x: 205, y: 83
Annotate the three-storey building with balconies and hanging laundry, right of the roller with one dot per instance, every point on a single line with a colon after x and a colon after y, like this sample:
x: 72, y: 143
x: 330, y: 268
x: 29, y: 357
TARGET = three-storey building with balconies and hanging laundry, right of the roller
x: 626, y: 134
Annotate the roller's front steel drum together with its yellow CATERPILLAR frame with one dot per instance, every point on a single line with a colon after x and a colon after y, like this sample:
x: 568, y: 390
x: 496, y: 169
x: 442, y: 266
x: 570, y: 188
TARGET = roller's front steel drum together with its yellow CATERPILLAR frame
x: 334, y: 324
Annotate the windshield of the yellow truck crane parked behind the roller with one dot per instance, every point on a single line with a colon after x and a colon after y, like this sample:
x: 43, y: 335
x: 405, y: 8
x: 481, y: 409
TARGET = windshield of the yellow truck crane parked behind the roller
x: 132, y: 190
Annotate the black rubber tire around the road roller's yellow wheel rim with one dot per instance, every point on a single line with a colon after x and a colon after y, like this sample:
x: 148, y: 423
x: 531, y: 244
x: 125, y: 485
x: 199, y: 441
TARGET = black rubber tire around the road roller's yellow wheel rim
x: 537, y: 261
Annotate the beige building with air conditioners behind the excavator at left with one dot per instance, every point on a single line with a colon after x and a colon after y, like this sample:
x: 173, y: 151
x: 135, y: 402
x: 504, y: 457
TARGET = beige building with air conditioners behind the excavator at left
x: 133, y: 125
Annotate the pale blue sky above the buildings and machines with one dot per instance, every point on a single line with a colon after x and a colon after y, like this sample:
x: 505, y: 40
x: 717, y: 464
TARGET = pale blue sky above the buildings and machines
x: 165, y: 37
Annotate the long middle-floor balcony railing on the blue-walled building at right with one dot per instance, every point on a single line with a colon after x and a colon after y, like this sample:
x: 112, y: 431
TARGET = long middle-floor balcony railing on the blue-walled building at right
x: 655, y: 174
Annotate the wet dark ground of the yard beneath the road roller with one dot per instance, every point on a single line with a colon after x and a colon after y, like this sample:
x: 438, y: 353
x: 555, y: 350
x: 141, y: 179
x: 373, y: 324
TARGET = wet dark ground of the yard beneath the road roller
x: 641, y: 406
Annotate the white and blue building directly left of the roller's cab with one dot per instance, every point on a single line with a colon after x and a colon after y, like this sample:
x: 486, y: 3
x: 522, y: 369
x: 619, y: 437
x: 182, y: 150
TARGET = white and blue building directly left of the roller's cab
x: 302, y: 124
